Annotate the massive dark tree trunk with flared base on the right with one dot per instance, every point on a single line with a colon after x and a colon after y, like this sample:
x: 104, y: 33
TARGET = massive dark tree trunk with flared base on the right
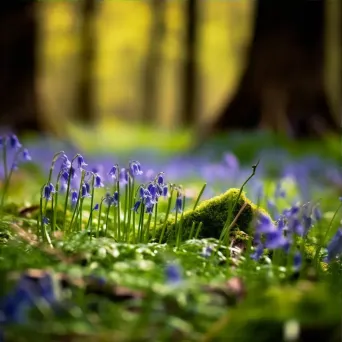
x: 282, y: 87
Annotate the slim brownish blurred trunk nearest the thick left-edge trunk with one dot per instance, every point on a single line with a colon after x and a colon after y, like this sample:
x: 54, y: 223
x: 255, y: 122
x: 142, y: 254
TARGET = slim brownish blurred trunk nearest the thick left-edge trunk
x: 85, y: 92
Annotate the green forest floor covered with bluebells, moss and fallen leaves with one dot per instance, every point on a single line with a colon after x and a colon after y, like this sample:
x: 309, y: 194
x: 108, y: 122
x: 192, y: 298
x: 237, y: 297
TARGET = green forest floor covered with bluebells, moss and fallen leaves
x: 135, y: 245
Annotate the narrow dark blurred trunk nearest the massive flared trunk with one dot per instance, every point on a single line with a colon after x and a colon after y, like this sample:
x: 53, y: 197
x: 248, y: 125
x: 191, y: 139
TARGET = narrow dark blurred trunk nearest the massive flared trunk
x: 189, y: 86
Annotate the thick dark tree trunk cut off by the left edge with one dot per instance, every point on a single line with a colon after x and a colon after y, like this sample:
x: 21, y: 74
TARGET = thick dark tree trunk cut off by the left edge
x: 18, y: 37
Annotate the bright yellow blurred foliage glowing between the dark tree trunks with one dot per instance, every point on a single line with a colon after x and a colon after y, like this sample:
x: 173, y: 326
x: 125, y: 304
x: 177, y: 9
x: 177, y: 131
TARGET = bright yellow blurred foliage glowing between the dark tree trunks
x: 122, y: 36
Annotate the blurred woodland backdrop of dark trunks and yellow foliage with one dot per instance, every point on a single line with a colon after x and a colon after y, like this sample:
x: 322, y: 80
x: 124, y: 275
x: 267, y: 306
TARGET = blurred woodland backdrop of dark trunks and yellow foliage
x: 119, y: 68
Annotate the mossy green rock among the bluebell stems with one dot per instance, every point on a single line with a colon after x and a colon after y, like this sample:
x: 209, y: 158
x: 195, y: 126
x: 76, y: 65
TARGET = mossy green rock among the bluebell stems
x: 213, y: 214
